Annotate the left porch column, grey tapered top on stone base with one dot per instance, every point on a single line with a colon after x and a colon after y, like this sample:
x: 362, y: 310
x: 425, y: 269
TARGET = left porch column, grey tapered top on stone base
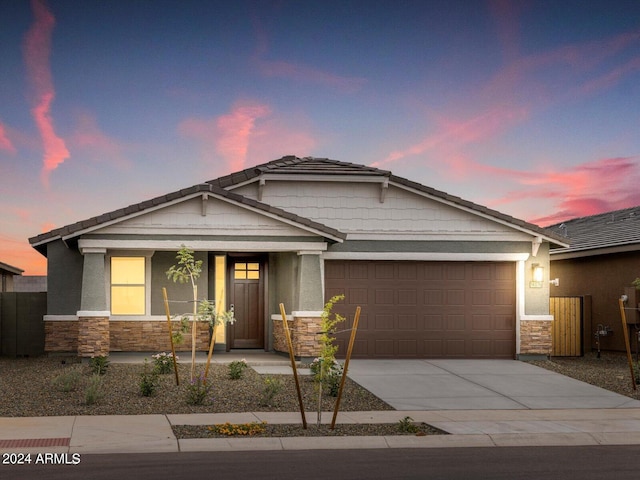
x: 93, y: 317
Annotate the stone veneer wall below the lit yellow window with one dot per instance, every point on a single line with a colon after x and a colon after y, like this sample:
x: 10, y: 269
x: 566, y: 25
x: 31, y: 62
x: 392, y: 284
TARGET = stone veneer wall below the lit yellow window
x: 152, y: 336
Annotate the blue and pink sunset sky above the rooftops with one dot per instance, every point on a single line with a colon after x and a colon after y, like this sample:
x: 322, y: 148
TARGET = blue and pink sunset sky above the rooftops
x: 528, y: 107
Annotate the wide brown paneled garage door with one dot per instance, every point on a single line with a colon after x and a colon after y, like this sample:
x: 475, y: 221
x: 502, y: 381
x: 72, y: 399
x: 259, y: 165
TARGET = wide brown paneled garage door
x: 426, y: 309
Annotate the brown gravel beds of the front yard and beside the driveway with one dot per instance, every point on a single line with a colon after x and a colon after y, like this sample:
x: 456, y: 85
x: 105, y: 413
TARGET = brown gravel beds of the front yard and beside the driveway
x: 59, y: 386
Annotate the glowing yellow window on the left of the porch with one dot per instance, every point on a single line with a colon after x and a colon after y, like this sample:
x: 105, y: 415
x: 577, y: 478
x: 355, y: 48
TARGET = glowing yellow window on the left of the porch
x: 127, y: 285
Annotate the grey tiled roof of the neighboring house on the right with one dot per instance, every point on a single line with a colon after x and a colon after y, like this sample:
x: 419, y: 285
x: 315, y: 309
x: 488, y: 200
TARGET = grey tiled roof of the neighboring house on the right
x: 609, y: 232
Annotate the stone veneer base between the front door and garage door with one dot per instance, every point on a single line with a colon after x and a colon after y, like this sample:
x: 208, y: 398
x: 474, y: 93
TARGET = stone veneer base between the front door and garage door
x: 304, y: 336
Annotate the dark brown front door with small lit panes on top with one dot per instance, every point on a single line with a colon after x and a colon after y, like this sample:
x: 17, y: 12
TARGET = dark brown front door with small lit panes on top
x: 246, y: 278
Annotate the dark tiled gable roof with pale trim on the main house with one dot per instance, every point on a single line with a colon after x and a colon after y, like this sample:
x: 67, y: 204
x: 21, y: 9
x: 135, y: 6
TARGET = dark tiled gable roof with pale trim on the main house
x: 287, y: 168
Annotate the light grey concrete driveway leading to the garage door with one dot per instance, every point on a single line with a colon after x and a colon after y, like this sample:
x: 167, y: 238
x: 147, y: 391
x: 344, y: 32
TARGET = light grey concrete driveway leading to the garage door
x: 478, y: 385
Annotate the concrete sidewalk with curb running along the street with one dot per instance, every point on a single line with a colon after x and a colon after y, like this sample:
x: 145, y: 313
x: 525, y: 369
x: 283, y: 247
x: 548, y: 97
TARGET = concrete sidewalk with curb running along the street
x: 153, y: 433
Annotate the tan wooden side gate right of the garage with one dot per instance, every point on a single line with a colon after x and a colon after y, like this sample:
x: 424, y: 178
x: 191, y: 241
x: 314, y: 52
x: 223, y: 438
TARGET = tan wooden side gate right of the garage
x: 567, y: 330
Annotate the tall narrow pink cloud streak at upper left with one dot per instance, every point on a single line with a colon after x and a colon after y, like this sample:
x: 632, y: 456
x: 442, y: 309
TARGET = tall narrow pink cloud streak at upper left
x: 37, y: 50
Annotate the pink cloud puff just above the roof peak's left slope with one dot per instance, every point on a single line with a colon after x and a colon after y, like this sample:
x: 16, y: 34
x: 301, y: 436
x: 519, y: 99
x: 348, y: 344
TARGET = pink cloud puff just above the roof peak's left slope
x: 247, y: 133
